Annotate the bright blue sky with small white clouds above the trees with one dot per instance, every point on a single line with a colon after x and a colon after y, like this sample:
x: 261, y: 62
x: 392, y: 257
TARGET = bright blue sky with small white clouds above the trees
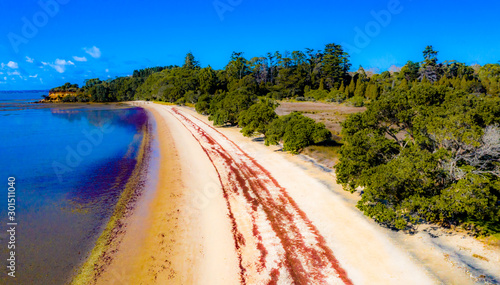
x: 87, y: 39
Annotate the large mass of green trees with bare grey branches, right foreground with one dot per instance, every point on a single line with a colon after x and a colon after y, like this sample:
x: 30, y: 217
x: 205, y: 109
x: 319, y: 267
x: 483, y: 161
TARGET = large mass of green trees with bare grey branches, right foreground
x: 429, y: 153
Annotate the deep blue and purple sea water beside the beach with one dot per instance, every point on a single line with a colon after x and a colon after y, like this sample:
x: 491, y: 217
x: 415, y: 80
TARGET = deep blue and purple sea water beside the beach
x: 70, y: 163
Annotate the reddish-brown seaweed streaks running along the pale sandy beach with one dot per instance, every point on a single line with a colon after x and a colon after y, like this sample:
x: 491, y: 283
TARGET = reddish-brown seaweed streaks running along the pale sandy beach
x: 279, y: 217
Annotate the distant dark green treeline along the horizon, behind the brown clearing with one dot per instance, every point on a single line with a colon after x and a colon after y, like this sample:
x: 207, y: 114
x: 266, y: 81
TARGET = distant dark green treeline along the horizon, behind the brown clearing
x: 301, y: 75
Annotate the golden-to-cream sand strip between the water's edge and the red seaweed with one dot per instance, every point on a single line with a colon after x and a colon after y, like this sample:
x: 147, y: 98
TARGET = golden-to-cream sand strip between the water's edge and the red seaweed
x: 181, y: 243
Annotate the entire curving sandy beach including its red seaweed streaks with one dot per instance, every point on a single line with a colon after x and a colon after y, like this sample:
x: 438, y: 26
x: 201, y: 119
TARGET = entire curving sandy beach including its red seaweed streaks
x: 227, y: 210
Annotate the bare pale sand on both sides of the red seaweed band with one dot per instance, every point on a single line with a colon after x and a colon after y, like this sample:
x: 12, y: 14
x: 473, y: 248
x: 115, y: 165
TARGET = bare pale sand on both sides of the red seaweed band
x: 185, y: 241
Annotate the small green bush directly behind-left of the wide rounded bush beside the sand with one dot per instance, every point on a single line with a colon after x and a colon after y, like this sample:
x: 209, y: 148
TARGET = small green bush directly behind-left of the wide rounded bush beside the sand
x: 257, y: 118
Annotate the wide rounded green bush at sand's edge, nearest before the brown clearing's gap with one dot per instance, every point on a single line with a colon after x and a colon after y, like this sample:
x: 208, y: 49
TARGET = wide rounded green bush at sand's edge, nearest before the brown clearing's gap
x: 296, y: 131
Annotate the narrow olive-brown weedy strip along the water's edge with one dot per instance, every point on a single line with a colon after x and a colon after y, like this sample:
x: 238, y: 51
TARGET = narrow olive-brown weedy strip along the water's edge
x: 108, y: 241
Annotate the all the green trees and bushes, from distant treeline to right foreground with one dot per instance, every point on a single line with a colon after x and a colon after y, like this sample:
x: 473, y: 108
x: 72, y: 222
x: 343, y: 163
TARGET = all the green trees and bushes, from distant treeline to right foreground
x: 426, y: 150
